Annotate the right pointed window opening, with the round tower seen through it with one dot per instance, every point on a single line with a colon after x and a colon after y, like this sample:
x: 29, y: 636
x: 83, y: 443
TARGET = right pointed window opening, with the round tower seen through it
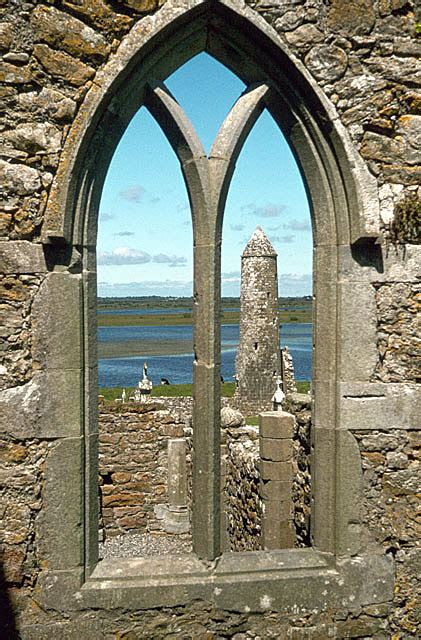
x: 267, y: 191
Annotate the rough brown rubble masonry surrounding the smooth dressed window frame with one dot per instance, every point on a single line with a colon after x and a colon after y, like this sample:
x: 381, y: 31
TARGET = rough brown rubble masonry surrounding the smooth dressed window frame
x: 365, y: 57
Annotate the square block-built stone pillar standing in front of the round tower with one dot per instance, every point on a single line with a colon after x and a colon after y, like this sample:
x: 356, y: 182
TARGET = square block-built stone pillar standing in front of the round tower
x: 276, y: 474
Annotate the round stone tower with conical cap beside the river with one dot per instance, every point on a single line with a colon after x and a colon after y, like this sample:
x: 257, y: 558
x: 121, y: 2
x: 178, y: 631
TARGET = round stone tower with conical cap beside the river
x: 257, y: 361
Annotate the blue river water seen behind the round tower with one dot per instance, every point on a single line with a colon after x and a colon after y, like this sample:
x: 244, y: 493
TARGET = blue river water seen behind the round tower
x: 125, y: 372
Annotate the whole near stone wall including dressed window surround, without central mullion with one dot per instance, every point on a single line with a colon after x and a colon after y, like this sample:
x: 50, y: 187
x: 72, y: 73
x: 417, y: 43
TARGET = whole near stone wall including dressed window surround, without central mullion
x: 349, y: 76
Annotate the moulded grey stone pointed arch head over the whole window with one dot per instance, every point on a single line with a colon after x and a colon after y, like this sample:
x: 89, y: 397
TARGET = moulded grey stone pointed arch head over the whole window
x: 341, y: 191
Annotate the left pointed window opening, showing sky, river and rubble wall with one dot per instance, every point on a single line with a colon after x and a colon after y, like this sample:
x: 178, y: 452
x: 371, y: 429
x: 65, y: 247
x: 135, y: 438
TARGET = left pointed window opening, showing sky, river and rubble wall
x: 145, y: 345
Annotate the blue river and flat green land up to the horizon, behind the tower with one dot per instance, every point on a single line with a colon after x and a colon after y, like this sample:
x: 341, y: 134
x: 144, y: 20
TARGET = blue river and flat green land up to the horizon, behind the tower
x: 160, y: 330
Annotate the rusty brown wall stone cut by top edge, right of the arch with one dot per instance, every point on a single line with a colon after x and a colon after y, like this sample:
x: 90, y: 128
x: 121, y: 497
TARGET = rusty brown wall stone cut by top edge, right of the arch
x: 355, y: 17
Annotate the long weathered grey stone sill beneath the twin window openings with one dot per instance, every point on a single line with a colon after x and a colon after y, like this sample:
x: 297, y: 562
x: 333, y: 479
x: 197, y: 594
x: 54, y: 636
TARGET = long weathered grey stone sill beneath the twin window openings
x: 296, y: 580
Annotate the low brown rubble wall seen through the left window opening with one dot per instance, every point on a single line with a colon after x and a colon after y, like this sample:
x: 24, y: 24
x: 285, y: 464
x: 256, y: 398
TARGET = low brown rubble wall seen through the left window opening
x: 133, y: 464
